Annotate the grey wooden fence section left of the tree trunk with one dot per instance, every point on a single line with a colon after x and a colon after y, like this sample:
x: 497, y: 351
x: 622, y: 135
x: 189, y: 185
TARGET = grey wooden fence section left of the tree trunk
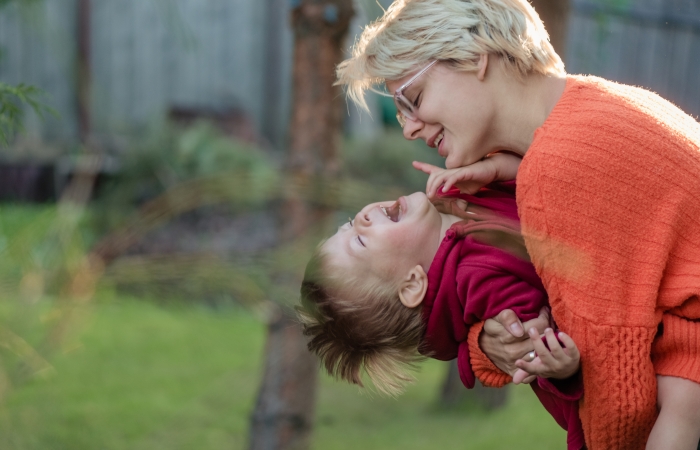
x: 146, y: 57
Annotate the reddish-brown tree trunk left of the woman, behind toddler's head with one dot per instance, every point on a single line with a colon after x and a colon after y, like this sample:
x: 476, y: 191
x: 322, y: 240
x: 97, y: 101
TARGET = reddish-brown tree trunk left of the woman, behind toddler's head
x: 284, y: 412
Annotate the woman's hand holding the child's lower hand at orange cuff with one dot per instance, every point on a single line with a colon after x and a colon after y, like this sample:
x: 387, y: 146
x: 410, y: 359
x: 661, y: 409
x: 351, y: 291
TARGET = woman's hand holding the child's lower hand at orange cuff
x: 504, y: 340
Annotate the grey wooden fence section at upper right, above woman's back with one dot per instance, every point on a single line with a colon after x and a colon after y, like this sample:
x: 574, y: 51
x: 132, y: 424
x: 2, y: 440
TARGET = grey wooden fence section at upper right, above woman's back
x: 650, y: 43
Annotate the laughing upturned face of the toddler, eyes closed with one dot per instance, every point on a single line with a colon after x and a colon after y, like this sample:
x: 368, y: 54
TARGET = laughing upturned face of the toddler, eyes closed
x: 388, y: 238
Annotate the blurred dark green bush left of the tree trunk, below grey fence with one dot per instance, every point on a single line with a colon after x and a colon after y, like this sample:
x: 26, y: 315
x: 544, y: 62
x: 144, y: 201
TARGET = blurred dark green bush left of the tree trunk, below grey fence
x: 172, y: 157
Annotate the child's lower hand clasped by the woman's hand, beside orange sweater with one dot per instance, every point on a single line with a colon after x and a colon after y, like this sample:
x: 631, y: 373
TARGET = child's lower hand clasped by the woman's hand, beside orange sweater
x: 555, y: 362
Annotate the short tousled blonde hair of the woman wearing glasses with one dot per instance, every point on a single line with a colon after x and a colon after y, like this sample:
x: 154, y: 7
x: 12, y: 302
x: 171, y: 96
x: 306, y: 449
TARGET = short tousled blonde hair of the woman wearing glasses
x: 413, y: 32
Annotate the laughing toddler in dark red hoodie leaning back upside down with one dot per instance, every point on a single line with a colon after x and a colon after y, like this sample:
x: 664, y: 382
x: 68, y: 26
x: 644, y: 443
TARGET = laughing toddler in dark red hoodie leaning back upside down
x: 403, y: 280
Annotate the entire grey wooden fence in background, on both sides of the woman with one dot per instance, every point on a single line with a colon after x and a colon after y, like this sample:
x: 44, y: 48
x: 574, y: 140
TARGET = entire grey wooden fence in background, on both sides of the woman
x: 148, y: 56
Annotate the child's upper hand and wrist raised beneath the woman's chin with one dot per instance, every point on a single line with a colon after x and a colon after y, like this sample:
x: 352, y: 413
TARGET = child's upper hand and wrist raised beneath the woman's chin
x: 469, y: 179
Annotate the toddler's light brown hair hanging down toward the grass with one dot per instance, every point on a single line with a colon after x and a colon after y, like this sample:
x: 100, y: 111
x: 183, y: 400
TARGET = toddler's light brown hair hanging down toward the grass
x: 359, y: 324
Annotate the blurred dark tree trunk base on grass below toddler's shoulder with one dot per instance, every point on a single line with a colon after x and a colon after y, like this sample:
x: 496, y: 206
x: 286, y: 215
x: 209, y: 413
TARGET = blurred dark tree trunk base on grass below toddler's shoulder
x: 454, y: 393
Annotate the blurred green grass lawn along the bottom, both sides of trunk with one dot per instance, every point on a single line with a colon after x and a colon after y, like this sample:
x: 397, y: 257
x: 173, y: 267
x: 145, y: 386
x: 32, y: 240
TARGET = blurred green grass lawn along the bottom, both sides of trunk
x: 153, y: 377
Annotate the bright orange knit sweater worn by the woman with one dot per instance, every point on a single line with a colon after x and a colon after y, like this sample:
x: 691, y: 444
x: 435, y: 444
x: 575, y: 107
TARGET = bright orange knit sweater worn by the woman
x: 609, y: 200
